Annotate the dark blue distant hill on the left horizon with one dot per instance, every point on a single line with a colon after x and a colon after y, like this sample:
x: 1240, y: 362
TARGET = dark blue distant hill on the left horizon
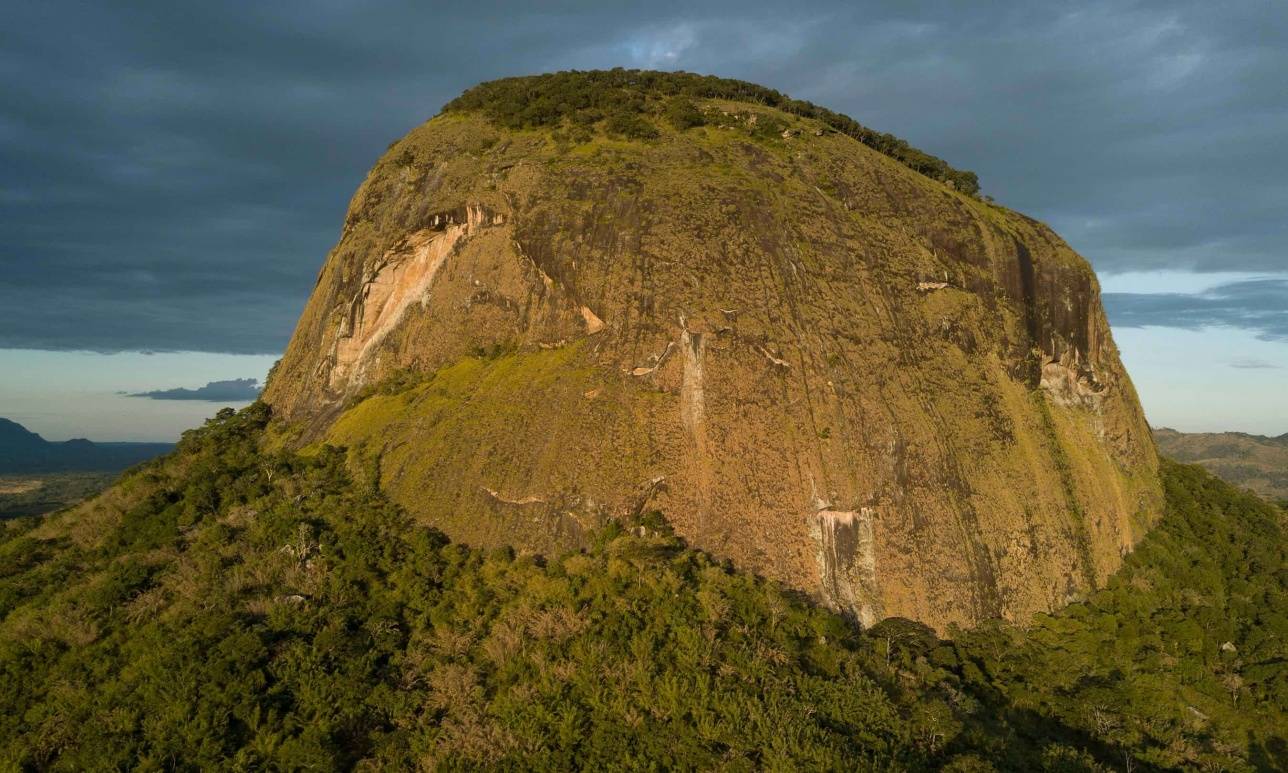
x: 25, y: 452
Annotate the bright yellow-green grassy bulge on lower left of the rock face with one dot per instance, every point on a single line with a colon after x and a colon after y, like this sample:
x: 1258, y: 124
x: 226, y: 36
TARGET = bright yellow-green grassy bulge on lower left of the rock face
x: 435, y: 440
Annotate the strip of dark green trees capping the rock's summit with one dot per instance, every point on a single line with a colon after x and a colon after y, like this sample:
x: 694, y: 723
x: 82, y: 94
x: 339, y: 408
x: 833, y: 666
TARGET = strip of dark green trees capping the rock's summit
x: 629, y: 101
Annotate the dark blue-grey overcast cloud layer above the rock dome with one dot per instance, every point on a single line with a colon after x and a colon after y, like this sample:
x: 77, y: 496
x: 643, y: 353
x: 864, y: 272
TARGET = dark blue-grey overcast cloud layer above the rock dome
x: 172, y: 175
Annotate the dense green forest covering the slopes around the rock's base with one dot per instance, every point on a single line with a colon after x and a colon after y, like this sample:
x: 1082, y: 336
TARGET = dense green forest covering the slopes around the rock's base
x: 227, y: 607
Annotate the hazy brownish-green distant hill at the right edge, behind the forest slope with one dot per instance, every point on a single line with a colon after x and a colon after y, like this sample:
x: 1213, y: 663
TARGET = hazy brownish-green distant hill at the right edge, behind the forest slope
x: 1251, y: 462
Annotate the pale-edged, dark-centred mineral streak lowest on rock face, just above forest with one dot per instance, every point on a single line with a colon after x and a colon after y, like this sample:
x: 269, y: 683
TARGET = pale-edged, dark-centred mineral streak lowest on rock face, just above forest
x: 847, y: 562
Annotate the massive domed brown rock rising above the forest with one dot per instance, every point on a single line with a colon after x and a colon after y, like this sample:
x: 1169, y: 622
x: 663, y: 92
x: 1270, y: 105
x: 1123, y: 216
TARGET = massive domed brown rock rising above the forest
x: 813, y: 359
